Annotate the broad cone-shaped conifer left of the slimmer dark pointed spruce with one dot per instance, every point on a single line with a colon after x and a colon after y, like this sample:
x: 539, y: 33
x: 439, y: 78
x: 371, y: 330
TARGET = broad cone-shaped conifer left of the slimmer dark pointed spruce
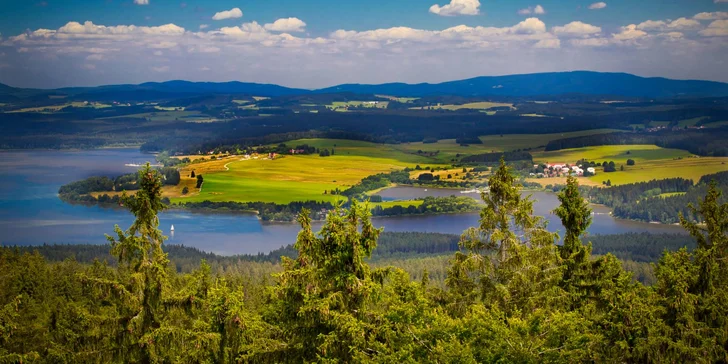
x: 510, y: 259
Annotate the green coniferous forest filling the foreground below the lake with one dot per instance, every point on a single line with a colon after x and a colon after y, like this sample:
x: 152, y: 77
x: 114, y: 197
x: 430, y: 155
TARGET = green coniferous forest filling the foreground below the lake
x: 510, y: 294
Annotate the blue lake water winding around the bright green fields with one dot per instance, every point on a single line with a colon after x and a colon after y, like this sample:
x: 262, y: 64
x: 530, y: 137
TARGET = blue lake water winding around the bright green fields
x: 32, y: 214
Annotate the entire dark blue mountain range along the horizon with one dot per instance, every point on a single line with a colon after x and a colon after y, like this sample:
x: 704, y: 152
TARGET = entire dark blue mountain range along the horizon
x: 526, y: 85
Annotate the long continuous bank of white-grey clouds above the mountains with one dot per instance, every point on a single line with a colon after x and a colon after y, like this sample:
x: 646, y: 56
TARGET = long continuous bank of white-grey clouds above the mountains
x: 259, y: 53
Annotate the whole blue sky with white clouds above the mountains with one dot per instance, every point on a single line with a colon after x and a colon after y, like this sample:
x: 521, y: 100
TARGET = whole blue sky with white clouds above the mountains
x: 320, y: 43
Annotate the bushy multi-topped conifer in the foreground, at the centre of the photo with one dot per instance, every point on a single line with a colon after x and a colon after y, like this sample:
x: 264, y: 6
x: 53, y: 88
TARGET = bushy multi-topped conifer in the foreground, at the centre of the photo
x: 320, y: 296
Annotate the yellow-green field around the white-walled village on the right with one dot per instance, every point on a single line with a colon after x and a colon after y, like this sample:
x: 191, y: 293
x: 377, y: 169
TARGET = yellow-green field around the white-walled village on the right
x: 651, y: 162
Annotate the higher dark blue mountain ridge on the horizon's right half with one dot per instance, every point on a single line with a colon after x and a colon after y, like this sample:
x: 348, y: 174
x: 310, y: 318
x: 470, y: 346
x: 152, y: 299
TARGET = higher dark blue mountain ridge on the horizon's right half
x: 548, y: 84
